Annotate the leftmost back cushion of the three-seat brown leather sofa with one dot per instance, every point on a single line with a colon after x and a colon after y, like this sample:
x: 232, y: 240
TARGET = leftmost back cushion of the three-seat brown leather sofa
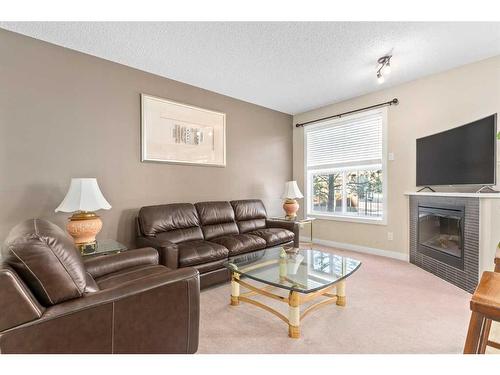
x: 167, y: 217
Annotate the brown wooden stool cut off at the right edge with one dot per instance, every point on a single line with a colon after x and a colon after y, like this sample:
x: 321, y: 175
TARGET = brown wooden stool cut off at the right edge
x: 485, y: 307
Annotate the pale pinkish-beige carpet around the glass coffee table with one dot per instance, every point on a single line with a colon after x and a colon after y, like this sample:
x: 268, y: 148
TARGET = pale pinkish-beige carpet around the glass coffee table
x: 392, y: 307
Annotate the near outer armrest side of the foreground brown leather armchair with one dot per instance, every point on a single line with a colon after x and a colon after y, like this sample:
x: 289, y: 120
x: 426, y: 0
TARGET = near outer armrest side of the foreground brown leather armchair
x: 155, y: 314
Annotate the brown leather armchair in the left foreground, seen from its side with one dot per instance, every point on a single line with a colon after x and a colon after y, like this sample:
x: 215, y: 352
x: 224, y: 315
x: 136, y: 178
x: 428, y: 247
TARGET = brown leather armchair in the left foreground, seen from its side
x: 52, y: 301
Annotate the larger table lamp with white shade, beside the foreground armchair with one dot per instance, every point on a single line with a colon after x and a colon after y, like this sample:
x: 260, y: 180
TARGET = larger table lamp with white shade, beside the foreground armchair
x: 83, y: 198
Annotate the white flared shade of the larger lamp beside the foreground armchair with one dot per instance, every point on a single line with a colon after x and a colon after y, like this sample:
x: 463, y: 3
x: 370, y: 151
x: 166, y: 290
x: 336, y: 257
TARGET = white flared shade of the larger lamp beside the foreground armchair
x: 83, y: 195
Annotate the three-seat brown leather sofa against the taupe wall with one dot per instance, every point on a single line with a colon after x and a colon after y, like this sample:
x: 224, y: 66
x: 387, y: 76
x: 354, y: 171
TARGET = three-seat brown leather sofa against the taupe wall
x: 205, y: 234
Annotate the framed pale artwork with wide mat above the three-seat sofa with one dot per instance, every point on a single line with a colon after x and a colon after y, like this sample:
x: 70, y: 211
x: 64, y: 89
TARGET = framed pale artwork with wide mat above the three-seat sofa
x: 173, y: 132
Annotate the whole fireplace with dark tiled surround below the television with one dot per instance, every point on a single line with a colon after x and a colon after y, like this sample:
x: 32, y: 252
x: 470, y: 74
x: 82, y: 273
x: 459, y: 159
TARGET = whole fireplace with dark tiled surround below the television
x: 444, y: 237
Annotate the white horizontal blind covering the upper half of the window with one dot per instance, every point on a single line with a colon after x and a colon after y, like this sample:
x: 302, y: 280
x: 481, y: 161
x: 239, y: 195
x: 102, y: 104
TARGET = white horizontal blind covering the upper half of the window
x: 348, y: 141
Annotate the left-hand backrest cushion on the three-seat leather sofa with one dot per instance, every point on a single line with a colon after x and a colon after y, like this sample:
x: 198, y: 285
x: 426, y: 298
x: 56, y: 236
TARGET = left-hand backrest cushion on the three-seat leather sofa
x: 176, y: 222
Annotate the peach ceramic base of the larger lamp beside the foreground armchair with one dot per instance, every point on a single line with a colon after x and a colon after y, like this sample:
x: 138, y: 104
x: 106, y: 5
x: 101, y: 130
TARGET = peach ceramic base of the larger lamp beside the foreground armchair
x: 83, y: 227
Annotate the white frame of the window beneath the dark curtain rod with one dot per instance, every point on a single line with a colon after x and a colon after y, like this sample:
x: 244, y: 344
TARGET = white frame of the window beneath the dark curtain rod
x: 346, y: 166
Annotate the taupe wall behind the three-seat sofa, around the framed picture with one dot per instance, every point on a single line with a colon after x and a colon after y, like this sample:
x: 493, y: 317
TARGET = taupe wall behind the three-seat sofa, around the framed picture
x: 66, y: 114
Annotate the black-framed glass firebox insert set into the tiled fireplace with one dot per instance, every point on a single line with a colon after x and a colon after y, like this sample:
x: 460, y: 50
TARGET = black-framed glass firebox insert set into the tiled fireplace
x: 440, y: 233
